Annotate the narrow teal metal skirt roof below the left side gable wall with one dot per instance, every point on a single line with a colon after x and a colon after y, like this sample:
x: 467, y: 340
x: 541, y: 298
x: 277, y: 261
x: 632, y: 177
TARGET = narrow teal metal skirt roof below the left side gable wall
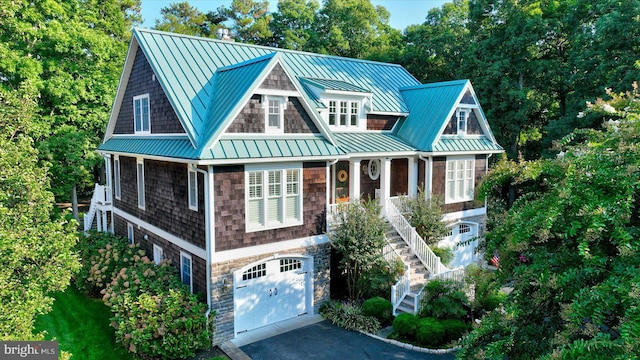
x: 153, y: 146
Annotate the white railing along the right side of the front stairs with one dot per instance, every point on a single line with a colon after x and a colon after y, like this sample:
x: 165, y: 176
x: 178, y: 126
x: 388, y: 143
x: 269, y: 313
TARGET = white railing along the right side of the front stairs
x: 408, y: 233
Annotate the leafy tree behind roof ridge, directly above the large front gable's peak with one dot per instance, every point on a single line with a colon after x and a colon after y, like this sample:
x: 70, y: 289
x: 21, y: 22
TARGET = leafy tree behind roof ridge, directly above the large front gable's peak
x: 292, y: 24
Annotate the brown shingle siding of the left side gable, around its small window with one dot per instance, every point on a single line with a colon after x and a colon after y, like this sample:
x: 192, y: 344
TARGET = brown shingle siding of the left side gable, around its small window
x: 162, y: 116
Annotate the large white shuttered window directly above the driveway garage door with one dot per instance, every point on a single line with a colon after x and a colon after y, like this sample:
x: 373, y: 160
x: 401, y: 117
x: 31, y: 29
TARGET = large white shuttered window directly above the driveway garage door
x: 273, y: 197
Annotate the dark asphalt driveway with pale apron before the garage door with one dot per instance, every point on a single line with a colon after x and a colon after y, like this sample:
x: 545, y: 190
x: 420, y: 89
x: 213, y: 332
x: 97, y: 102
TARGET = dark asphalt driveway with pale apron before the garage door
x: 311, y: 337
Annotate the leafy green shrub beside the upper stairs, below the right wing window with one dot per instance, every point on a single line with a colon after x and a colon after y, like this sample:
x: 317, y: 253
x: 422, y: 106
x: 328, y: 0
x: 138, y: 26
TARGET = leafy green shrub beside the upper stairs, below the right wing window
x: 426, y: 216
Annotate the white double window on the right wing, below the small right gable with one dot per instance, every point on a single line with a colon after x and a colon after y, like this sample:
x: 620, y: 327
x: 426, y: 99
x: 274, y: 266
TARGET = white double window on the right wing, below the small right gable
x: 459, y: 179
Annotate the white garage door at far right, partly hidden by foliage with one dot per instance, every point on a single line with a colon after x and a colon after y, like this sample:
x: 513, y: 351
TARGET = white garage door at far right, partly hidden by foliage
x: 463, y: 239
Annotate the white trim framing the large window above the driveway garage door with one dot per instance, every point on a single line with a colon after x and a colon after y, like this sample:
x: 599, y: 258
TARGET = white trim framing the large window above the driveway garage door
x: 264, y: 170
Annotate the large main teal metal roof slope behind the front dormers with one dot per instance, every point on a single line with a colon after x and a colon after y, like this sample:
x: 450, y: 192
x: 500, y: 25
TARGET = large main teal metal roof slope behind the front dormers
x: 185, y: 67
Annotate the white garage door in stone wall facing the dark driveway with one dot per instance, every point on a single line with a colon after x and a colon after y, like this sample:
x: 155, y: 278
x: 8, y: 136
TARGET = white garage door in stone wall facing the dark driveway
x: 271, y: 291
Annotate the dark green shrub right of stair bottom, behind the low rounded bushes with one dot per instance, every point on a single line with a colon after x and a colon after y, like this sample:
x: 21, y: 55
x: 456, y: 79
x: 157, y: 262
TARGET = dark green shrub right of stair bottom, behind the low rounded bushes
x: 444, y: 300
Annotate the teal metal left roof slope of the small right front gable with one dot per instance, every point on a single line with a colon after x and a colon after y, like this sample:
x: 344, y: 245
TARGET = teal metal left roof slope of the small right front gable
x: 429, y: 109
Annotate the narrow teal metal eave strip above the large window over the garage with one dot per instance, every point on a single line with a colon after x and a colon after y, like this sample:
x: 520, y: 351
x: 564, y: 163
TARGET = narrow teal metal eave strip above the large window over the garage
x: 272, y: 148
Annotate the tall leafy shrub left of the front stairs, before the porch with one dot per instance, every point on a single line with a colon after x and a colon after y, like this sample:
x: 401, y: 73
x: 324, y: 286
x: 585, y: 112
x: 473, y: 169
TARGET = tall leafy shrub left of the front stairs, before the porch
x: 358, y: 239
